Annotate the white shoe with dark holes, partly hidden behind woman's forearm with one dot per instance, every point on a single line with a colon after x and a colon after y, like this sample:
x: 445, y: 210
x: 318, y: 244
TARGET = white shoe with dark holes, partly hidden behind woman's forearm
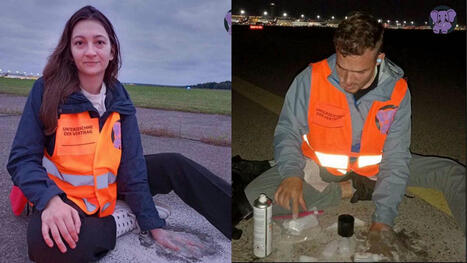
x: 125, y: 220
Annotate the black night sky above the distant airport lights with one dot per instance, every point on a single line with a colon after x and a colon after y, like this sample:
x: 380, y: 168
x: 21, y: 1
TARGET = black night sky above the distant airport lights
x: 416, y: 10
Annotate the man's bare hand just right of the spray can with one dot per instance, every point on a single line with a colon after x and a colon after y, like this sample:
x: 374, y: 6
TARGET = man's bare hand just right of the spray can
x: 291, y: 188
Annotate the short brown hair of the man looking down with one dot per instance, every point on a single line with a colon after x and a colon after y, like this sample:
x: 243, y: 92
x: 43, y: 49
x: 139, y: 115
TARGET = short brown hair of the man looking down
x: 357, y: 33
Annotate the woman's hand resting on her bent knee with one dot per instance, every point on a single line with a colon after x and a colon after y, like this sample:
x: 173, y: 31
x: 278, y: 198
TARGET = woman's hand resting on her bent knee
x: 61, y: 220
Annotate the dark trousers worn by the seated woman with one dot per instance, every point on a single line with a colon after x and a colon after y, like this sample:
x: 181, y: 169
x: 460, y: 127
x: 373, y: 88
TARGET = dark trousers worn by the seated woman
x: 194, y: 184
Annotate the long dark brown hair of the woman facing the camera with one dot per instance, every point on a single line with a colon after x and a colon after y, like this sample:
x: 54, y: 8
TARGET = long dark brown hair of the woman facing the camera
x: 61, y: 75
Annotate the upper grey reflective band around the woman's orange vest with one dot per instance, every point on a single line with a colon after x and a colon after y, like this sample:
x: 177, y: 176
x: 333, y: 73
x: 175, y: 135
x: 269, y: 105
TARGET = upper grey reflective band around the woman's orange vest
x: 102, y: 180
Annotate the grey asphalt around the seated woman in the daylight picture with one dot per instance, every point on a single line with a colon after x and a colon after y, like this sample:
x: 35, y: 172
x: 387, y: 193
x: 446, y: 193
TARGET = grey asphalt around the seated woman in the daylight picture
x: 217, y: 159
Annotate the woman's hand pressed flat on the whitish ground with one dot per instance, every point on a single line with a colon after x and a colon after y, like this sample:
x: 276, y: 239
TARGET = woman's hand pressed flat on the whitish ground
x: 178, y: 242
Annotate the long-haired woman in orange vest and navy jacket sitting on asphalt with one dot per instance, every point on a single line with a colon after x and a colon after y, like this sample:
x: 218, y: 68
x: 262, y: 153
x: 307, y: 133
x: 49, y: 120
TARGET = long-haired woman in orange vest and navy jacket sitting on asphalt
x: 77, y: 153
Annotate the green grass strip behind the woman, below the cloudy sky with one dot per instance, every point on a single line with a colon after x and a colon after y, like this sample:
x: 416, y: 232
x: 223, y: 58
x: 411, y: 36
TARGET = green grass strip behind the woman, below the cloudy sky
x: 194, y: 100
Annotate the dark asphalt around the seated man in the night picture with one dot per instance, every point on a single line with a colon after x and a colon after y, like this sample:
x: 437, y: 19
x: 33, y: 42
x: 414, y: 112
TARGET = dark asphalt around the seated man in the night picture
x: 265, y: 62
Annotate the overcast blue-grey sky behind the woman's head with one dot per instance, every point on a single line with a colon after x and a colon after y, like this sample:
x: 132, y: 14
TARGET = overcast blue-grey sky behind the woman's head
x: 176, y: 42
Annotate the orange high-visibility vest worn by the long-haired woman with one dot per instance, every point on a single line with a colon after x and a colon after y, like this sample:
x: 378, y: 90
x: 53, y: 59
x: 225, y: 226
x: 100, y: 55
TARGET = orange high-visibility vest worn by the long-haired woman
x: 85, y: 161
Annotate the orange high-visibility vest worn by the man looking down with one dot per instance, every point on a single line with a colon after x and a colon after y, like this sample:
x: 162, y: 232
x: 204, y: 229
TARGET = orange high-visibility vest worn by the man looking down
x: 329, y: 141
